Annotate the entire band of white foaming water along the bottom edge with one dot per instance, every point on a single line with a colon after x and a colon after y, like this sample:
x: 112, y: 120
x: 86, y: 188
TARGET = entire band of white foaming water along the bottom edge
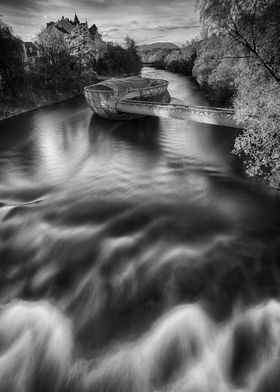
x: 184, y: 351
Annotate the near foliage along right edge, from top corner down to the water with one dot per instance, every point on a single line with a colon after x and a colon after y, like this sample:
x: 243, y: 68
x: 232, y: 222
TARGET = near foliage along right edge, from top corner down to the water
x: 251, y: 34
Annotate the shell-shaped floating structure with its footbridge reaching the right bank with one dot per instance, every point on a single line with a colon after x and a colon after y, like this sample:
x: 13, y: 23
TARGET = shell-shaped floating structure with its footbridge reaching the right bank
x: 135, y: 97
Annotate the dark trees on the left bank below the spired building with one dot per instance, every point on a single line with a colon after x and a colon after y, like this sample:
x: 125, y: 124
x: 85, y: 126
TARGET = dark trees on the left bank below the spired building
x: 65, y: 65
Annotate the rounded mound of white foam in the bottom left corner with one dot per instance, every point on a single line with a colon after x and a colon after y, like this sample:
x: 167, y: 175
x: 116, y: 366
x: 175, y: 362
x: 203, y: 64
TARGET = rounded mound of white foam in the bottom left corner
x: 36, y: 347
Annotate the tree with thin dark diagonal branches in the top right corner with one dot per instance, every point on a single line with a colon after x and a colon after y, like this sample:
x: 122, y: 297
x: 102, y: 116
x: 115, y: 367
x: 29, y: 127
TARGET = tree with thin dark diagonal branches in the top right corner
x: 253, y: 24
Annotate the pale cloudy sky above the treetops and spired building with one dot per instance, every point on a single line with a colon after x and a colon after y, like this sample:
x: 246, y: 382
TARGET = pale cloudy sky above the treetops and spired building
x: 146, y: 21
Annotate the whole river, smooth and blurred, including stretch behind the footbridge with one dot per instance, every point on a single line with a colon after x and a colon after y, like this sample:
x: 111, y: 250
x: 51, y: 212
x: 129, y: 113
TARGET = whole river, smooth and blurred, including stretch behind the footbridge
x: 135, y: 256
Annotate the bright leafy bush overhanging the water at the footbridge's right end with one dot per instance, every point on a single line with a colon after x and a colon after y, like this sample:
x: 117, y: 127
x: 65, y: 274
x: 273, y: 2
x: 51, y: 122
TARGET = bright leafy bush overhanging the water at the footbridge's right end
x: 257, y: 105
